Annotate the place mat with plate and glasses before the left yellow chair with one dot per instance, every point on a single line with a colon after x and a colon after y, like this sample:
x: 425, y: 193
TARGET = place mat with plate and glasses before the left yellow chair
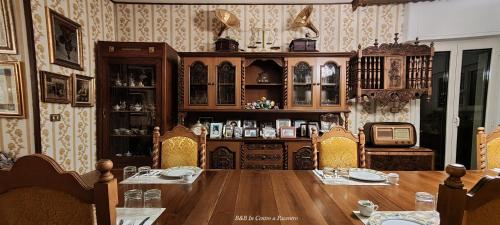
x: 173, y: 175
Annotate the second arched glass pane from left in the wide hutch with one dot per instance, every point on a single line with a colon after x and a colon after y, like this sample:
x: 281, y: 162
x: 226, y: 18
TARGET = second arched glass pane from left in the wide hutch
x: 226, y: 83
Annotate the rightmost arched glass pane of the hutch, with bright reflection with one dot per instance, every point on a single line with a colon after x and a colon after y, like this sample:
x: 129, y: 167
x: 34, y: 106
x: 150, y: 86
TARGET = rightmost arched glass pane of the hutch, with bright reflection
x: 330, y: 84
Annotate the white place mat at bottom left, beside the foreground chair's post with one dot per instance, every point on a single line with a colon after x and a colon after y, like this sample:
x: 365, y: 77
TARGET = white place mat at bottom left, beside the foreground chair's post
x: 137, y: 215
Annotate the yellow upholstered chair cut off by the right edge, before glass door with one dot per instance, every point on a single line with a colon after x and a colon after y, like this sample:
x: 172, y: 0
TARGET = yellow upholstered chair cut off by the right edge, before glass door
x: 488, y: 149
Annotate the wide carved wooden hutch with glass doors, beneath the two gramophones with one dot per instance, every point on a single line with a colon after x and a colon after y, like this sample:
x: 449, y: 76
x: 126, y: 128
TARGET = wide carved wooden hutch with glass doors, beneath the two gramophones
x: 220, y: 85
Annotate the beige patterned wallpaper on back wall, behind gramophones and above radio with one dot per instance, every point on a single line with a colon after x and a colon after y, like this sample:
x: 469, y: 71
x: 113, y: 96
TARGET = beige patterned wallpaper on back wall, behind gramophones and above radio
x: 194, y: 27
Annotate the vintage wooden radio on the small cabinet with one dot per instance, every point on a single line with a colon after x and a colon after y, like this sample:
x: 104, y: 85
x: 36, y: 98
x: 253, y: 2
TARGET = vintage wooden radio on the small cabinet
x: 389, y: 134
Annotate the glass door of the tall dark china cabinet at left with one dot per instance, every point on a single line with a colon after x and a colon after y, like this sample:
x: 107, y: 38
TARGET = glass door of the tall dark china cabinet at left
x: 132, y: 110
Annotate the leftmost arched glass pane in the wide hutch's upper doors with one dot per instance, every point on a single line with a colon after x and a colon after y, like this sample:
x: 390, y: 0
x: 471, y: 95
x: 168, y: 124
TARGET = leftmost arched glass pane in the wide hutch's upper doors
x: 198, y: 83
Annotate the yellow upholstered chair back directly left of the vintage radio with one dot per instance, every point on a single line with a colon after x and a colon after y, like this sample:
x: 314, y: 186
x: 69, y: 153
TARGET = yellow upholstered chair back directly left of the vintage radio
x: 338, y: 148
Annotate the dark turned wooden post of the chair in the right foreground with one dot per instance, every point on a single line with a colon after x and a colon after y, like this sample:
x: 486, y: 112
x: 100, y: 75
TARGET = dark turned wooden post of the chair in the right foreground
x: 452, y: 196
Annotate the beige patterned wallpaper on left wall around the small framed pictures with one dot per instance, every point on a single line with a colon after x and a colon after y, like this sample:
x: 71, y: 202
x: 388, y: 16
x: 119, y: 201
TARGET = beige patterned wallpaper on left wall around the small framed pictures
x: 72, y: 140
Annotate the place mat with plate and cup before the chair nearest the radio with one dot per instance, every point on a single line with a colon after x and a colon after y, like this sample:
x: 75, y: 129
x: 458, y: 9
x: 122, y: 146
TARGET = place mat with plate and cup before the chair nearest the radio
x: 355, y: 176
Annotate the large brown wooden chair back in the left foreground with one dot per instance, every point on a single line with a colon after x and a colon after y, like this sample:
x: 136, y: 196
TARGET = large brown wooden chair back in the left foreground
x: 37, y: 191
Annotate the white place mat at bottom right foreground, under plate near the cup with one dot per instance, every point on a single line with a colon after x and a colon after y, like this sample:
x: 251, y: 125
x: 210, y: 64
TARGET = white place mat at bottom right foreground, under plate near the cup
x: 430, y: 217
